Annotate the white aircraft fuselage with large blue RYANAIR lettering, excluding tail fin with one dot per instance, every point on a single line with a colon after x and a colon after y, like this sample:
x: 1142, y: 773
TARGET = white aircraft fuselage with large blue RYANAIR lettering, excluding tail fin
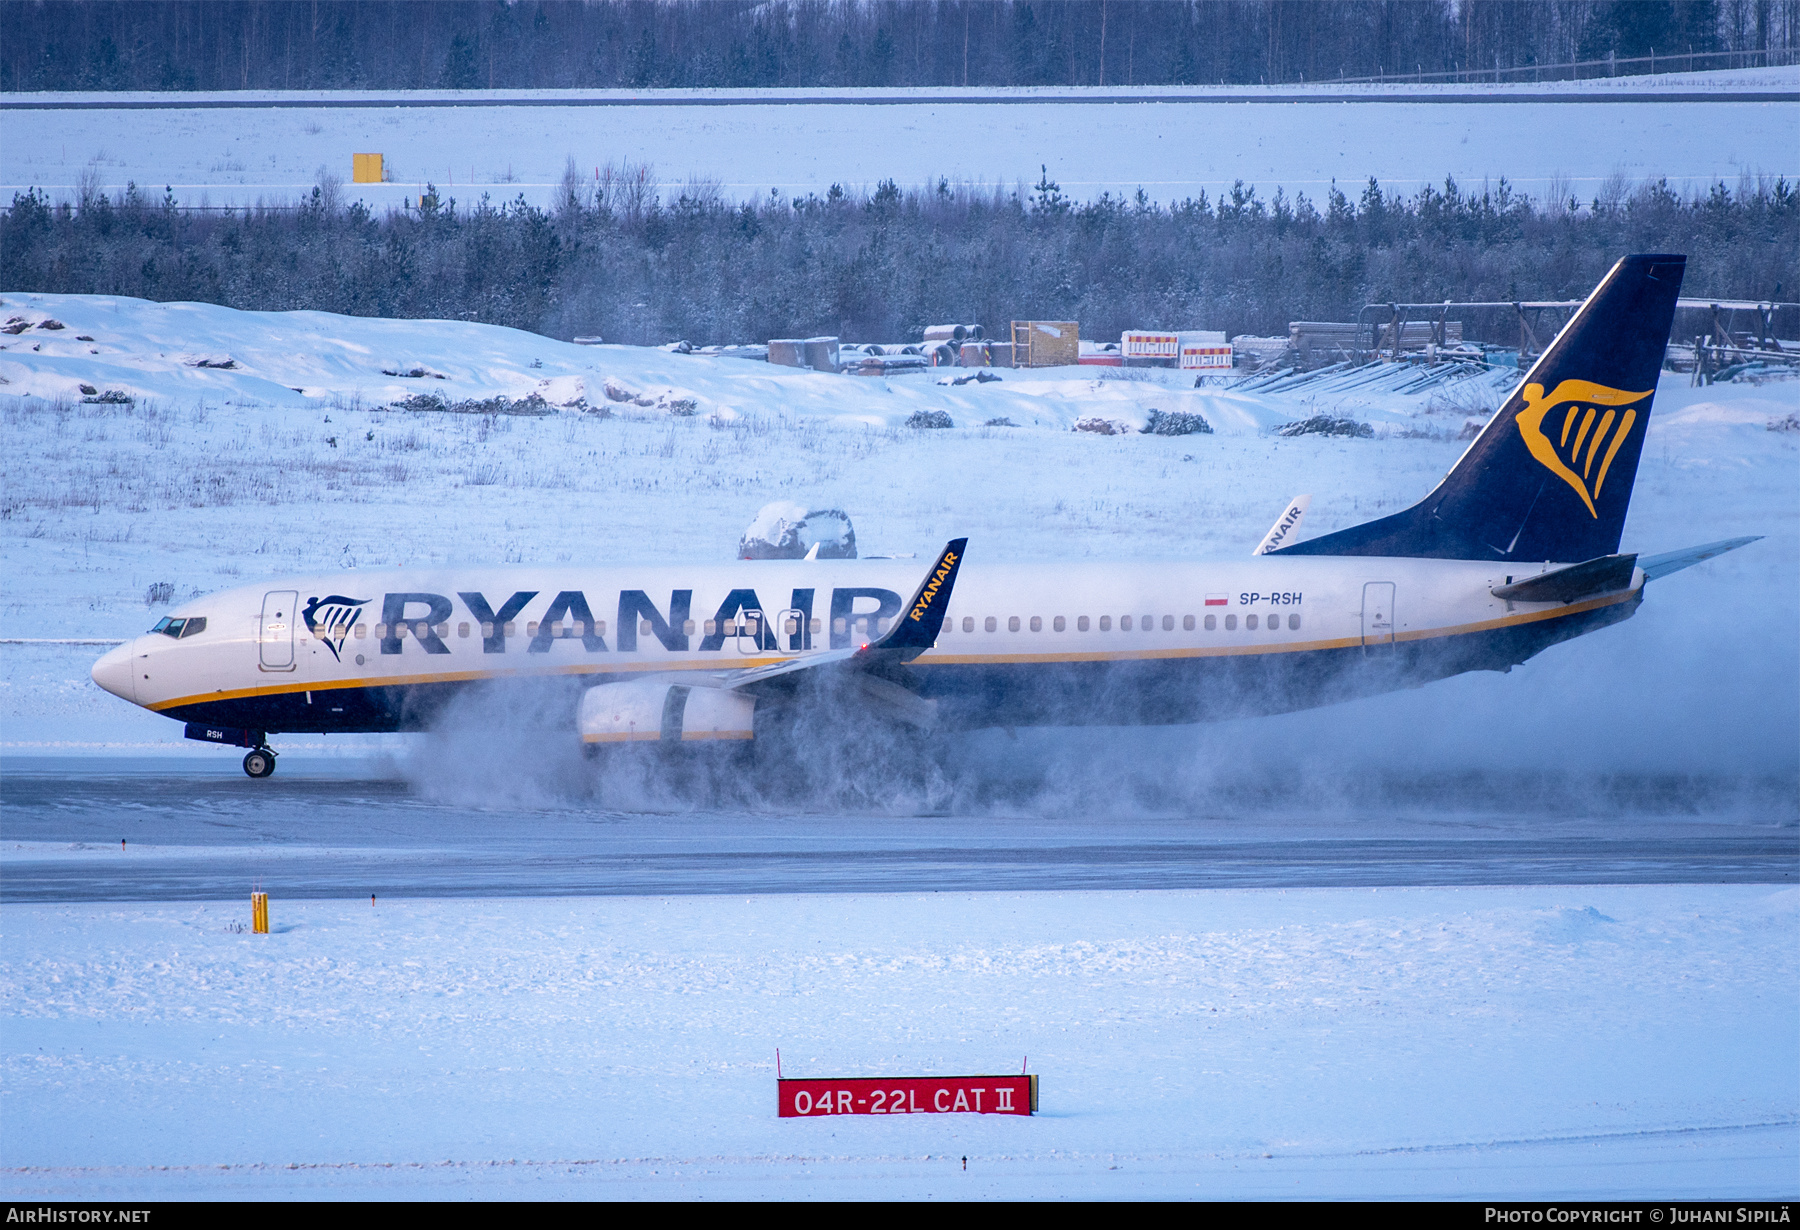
x: 298, y: 651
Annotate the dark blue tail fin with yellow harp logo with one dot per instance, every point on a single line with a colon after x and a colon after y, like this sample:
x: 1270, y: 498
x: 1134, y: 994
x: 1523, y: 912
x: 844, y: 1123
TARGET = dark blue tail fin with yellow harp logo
x: 1551, y: 476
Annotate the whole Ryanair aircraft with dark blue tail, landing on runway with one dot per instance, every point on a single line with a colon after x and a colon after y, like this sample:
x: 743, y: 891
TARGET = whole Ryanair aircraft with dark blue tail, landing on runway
x: 1515, y: 550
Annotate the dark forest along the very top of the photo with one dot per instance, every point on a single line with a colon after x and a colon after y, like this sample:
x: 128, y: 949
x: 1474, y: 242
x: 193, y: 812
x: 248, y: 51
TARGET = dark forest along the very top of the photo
x: 643, y: 44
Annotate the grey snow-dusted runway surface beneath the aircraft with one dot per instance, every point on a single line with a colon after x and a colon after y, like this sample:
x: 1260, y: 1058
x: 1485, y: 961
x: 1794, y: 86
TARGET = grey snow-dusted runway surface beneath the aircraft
x: 91, y: 829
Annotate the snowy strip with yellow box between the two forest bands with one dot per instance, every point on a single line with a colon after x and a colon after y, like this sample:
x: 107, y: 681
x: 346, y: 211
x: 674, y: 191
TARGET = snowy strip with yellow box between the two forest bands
x: 1173, y: 143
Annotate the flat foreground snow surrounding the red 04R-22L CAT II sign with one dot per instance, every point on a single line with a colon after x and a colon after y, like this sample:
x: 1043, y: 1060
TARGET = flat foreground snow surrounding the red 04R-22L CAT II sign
x: 1457, y: 1044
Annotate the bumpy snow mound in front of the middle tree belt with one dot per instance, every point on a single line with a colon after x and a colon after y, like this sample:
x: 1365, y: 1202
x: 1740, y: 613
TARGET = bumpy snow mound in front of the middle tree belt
x: 201, y: 354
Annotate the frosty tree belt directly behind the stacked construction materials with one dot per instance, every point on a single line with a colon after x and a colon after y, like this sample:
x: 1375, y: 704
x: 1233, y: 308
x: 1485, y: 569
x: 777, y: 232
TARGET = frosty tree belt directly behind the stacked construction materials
x: 638, y: 264
